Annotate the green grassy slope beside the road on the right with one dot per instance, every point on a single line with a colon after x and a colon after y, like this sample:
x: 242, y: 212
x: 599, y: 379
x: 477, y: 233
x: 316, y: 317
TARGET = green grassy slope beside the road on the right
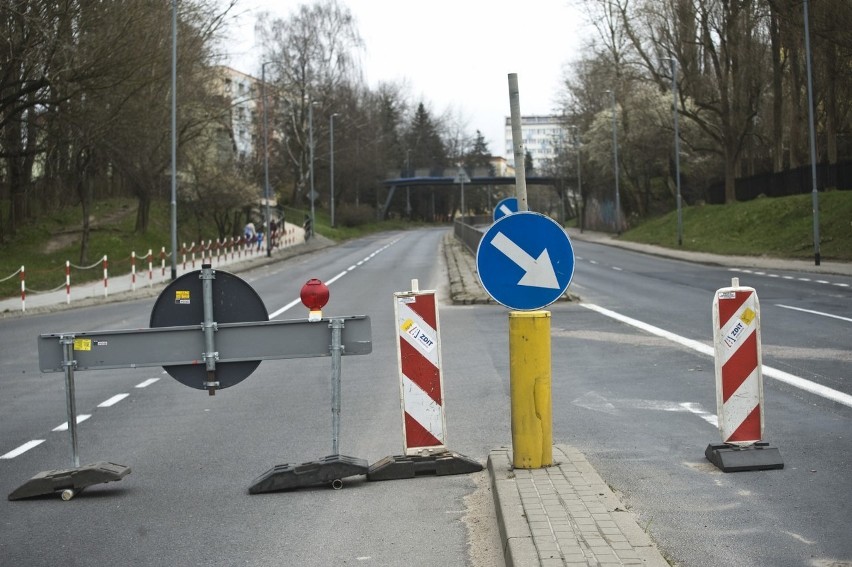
x: 781, y: 227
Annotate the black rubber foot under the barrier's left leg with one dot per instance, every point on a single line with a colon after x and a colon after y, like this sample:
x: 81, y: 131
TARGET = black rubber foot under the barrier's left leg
x: 69, y: 481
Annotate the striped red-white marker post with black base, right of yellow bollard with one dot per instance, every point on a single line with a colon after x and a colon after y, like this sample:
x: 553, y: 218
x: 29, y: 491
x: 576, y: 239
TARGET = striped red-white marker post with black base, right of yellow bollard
x: 739, y: 383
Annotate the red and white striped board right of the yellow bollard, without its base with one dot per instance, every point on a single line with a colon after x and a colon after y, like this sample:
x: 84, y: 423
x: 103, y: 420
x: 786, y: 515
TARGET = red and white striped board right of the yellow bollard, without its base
x: 739, y: 375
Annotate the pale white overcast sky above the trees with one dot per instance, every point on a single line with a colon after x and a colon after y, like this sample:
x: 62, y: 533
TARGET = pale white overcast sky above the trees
x: 453, y: 55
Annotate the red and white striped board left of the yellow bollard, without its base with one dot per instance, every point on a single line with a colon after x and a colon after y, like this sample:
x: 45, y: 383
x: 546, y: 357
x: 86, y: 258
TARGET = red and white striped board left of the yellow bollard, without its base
x: 421, y: 379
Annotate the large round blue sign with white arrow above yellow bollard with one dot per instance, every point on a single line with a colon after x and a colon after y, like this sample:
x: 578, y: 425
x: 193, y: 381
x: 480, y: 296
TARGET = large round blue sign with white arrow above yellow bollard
x: 525, y: 261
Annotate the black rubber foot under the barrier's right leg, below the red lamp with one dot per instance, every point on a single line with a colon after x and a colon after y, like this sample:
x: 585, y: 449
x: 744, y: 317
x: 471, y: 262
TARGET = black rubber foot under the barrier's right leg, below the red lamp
x: 329, y: 470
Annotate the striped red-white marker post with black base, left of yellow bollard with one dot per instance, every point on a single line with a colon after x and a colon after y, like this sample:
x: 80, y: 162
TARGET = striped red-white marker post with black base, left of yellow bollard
x: 424, y: 426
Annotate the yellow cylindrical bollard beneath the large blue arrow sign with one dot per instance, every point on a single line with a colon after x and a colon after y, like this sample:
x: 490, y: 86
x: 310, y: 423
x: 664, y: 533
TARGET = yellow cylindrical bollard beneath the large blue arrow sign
x: 529, y: 377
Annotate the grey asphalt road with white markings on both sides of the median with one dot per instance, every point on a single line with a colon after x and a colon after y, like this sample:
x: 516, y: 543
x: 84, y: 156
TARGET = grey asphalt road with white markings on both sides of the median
x: 638, y: 406
